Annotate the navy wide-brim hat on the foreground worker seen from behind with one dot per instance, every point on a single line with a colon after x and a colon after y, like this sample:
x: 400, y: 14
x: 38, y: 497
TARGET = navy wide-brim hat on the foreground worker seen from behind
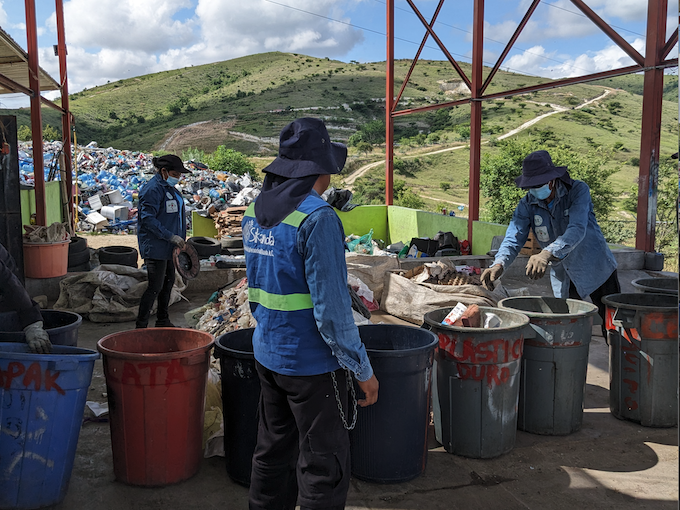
x: 306, y: 149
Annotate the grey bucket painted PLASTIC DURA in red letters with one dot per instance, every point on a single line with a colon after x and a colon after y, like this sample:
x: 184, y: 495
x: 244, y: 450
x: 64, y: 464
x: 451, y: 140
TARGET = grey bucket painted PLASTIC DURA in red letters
x: 478, y: 376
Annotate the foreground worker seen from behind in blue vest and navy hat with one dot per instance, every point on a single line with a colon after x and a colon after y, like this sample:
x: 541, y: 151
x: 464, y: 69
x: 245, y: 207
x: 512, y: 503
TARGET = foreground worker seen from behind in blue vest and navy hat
x: 305, y: 342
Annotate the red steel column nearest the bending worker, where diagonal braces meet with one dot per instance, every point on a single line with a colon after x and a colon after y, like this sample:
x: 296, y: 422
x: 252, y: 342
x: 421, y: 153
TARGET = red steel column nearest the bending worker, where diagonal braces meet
x: 475, y: 115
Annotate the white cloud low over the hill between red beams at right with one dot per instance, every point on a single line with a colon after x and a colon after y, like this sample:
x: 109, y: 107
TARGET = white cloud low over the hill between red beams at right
x: 537, y: 61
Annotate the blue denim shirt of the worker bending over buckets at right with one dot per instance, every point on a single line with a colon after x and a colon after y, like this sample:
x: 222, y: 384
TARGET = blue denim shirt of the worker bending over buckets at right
x: 567, y: 229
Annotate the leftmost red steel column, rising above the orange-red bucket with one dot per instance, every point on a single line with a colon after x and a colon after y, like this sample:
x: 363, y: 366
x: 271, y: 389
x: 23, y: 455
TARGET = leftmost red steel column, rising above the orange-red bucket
x: 36, y: 118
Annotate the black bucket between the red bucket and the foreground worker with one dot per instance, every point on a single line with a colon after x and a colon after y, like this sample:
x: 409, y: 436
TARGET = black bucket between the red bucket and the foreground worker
x: 240, y: 398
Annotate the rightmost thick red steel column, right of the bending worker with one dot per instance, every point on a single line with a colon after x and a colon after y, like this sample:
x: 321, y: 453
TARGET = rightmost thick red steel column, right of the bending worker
x: 651, y: 125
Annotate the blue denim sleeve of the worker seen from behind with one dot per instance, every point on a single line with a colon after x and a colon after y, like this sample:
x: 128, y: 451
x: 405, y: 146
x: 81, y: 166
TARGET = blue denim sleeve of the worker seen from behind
x: 320, y: 242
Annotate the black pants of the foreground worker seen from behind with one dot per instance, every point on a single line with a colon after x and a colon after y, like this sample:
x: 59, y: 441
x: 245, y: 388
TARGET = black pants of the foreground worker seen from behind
x: 302, y: 445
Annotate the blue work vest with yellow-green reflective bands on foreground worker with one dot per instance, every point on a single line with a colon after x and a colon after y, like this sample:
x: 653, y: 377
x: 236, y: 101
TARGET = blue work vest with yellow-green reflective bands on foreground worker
x: 286, y: 339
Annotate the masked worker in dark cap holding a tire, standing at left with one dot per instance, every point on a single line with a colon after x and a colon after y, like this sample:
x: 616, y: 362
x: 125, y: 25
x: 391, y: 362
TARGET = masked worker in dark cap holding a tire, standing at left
x: 161, y: 226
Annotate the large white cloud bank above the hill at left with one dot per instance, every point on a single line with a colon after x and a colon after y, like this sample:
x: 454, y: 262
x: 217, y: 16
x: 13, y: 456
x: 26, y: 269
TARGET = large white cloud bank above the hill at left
x: 123, y: 38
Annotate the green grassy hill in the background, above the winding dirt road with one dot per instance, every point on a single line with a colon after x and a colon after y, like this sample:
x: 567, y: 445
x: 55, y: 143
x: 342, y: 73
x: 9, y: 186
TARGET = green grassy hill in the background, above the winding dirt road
x: 243, y: 103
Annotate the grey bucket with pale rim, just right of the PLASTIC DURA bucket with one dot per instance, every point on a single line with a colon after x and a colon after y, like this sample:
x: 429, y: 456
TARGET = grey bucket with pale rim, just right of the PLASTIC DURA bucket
x: 554, y: 363
